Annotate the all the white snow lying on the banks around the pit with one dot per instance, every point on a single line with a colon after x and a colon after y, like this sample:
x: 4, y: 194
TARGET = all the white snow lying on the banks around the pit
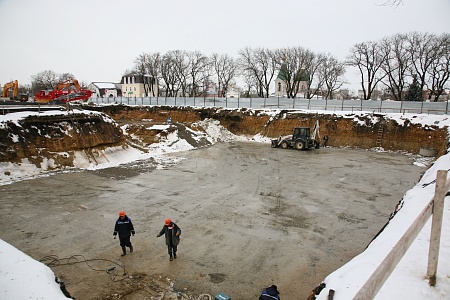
x: 21, y: 277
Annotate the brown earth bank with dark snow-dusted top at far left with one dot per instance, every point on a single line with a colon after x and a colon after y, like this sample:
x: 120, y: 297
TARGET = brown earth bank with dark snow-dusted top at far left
x: 56, y: 137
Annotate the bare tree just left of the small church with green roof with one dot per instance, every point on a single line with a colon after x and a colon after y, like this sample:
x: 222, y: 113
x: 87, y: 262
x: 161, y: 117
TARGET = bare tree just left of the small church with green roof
x: 261, y: 64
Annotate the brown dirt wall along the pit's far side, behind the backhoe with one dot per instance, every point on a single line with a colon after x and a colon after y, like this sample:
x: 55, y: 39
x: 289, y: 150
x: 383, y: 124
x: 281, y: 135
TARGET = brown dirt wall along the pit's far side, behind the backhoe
x: 355, y: 131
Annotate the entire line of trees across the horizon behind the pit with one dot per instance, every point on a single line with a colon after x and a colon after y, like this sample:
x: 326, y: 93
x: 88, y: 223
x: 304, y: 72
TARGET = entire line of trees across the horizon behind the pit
x: 404, y: 65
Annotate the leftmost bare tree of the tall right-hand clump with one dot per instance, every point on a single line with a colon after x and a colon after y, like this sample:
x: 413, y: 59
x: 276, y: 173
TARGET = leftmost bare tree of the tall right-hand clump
x: 368, y: 58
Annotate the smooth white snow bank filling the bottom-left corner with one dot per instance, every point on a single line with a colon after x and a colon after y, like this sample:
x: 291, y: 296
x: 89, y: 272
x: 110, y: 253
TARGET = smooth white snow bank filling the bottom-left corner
x: 22, y: 277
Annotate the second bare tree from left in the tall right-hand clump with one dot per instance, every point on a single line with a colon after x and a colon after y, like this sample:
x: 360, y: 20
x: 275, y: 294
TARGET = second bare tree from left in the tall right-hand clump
x: 396, y: 63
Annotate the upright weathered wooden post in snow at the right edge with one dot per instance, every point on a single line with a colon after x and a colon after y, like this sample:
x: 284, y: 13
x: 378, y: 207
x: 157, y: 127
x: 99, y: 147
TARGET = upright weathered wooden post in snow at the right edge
x: 436, y: 227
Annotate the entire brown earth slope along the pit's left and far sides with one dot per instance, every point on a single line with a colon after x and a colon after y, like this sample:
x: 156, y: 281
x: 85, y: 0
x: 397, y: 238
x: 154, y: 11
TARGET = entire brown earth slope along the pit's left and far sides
x: 57, y: 137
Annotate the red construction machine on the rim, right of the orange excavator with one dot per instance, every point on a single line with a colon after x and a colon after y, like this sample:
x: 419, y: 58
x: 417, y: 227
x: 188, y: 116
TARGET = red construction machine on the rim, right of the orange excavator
x: 65, y: 91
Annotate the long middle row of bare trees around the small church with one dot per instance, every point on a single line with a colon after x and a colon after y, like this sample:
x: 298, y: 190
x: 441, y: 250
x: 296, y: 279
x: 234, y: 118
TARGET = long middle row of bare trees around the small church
x: 188, y: 73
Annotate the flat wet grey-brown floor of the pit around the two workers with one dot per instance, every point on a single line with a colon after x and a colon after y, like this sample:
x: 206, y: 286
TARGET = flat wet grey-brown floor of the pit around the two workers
x: 250, y: 215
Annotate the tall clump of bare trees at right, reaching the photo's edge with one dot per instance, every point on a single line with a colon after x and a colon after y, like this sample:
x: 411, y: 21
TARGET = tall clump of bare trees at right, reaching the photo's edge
x: 395, y: 61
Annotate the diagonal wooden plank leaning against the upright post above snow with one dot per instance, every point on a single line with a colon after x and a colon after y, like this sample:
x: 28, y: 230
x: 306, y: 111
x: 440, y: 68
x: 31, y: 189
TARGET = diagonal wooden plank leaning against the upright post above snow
x: 384, y: 270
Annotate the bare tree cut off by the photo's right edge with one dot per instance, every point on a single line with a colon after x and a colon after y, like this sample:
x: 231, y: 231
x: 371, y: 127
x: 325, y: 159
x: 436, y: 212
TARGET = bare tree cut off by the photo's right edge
x: 439, y: 70
